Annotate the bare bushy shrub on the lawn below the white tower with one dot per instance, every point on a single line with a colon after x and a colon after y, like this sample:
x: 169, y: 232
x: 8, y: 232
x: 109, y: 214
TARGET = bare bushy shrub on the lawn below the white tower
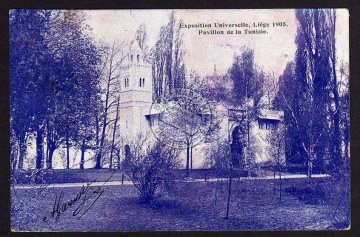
x: 151, y: 169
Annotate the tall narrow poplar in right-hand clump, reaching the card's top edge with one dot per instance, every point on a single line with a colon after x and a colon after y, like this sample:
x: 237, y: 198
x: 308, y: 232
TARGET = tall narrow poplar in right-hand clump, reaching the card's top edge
x: 312, y: 69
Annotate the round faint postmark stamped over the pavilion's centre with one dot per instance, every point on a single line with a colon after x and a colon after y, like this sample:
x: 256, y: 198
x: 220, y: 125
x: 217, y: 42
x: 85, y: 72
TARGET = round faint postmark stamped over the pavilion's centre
x: 184, y: 119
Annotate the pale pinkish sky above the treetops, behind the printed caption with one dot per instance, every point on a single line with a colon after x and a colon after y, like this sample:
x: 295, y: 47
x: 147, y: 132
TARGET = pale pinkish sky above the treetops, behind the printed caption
x: 272, y: 51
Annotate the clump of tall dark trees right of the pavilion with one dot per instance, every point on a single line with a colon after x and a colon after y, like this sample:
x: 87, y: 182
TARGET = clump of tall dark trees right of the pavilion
x: 309, y: 93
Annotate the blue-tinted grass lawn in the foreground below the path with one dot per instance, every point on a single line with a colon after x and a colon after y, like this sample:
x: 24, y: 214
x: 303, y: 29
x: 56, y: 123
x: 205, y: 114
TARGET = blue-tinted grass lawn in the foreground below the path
x: 255, y: 205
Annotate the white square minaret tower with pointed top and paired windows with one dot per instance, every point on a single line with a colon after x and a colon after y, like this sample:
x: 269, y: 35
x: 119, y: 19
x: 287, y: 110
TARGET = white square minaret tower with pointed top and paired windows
x: 135, y: 93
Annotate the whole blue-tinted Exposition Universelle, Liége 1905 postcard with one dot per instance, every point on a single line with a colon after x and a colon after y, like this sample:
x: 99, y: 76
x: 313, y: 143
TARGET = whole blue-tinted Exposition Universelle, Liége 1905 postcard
x: 179, y: 120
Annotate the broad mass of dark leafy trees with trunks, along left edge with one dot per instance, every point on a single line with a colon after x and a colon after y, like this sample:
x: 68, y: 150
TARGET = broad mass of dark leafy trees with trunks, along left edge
x: 54, y: 78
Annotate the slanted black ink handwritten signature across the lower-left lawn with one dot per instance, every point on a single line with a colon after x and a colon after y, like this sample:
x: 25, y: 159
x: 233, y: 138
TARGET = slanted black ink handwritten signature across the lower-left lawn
x: 86, y: 197
